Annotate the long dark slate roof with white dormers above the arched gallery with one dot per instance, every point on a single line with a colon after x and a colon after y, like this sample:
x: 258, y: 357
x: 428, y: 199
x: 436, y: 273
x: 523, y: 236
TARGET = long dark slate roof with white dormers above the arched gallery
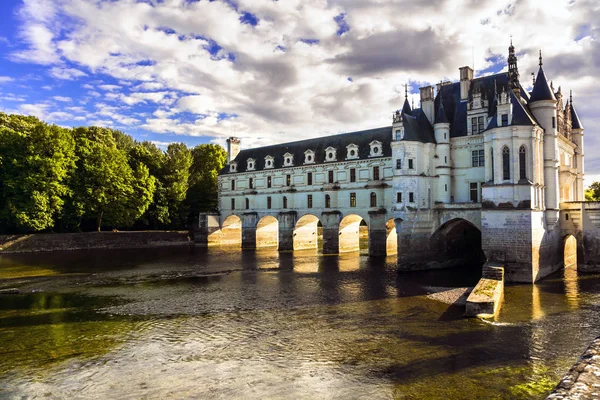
x: 318, y: 145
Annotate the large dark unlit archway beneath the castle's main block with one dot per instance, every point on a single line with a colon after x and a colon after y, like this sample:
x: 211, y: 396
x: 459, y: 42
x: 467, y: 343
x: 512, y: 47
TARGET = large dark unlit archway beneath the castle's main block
x: 458, y: 243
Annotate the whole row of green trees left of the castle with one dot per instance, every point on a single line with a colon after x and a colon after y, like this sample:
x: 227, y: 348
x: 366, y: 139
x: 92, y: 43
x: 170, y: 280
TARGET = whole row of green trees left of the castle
x: 90, y: 178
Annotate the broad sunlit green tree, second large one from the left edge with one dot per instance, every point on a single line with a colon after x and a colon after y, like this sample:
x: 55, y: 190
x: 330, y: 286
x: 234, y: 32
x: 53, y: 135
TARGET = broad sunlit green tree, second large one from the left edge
x: 105, y: 187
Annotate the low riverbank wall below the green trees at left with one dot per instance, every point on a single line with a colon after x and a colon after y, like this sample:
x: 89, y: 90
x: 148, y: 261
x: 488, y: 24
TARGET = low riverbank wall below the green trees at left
x: 44, y: 242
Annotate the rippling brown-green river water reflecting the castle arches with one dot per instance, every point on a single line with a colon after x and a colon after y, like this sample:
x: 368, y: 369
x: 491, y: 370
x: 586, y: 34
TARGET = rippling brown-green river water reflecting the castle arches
x: 224, y: 323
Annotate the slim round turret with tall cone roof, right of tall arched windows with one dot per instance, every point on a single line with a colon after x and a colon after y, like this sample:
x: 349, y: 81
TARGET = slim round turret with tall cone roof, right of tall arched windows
x: 543, y: 106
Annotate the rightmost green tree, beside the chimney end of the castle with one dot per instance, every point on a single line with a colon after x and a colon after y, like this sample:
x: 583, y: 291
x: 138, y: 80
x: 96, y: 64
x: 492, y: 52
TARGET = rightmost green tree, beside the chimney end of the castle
x: 202, y: 195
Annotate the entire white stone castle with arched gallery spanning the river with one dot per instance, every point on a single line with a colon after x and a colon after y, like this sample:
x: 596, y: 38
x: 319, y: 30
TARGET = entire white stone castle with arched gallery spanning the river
x: 482, y: 167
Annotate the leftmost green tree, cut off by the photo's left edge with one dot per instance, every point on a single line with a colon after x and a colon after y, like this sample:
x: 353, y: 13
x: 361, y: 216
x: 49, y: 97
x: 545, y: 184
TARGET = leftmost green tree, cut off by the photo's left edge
x: 35, y: 162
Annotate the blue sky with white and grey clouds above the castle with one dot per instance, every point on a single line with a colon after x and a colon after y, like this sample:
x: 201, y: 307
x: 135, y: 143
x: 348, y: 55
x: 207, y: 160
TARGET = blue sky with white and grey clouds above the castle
x: 270, y: 71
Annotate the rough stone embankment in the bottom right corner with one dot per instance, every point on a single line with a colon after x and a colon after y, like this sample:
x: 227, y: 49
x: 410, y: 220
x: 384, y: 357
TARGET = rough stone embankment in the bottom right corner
x: 582, y: 382
